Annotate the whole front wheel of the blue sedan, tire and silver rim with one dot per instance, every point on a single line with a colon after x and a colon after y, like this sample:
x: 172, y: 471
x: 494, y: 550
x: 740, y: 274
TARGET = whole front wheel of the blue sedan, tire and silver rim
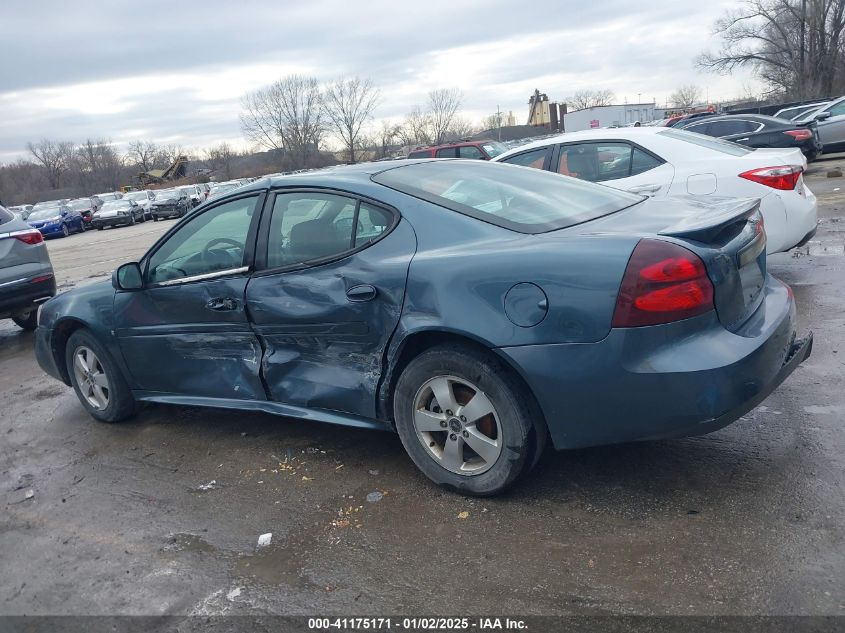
x: 97, y: 380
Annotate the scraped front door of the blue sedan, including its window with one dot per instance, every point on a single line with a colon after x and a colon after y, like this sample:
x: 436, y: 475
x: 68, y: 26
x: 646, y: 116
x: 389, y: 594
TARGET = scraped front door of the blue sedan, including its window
x: 186, y: 332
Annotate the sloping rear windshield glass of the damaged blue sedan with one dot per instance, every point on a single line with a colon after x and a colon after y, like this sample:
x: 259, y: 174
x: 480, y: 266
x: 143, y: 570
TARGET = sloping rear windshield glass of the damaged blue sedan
x: 516, y: 198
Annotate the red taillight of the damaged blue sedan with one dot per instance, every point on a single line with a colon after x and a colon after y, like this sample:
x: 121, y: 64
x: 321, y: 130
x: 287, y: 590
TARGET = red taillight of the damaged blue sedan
x: 663, y: 282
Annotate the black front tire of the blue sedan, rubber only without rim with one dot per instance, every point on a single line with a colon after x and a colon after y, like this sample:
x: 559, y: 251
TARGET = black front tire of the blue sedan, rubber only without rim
x: 121, y: 404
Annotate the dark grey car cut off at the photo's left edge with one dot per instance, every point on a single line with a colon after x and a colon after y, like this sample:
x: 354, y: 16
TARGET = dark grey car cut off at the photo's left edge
x: 26, y: 274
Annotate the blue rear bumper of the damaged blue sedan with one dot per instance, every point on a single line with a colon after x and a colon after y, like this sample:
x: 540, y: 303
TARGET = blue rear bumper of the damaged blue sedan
x: 675, y: 380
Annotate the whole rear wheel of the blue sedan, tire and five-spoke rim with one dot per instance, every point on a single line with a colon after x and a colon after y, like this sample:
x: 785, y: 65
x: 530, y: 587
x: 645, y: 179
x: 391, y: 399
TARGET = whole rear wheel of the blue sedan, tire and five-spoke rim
x: 465, y: 420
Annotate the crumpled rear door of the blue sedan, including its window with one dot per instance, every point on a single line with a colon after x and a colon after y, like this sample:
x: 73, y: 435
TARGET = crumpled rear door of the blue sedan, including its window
x: 327, y: 296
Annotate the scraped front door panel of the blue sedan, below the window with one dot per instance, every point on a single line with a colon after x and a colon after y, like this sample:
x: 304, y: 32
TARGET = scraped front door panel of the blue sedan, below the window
x: 173, y: 343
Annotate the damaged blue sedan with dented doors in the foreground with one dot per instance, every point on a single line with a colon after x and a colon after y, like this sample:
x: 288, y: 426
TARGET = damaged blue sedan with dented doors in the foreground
x: 479, y: 310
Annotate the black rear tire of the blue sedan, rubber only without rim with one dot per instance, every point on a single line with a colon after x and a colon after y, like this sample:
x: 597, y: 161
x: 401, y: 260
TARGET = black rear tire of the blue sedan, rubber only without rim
x: 514, y: 408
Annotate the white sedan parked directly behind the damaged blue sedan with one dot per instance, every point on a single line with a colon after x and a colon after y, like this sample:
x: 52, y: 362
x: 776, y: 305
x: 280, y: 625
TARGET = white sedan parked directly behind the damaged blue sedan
x: 661, y: 162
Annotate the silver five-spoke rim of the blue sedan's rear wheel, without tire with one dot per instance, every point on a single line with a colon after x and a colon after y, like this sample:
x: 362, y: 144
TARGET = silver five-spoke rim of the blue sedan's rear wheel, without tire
x: 457, y: 425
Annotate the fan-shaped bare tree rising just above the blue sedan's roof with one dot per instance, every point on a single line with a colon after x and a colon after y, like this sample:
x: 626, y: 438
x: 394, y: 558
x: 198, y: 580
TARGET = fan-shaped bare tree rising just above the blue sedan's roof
x: 348, y: 104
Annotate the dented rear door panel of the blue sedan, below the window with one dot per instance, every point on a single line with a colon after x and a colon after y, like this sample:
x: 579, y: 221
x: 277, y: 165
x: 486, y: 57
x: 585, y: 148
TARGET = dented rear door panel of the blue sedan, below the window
x: 321, y: 349
